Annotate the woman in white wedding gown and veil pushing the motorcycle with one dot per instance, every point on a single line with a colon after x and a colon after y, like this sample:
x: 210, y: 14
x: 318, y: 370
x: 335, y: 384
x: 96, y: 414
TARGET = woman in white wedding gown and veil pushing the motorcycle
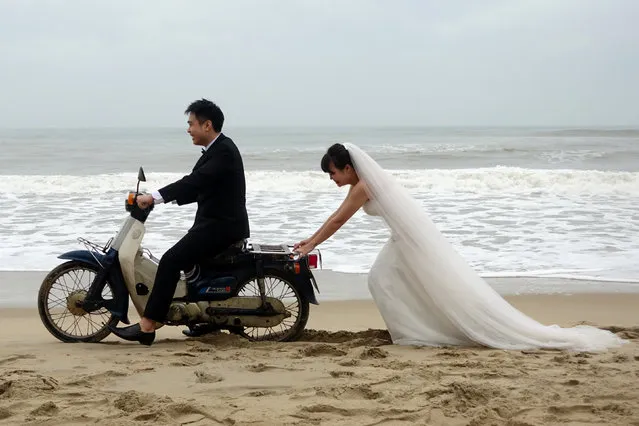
x: 425, y: 291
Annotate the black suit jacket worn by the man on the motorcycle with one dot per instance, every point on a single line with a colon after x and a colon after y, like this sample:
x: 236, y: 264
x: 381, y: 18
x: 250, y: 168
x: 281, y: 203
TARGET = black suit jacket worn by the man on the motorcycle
x: 218, y: 185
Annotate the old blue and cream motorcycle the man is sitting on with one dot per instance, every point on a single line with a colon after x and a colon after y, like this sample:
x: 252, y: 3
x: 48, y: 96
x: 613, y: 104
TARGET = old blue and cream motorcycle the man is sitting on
x: 259, y: 291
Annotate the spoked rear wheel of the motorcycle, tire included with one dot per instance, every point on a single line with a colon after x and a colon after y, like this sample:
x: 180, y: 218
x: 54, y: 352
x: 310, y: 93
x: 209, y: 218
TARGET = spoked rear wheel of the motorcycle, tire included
x: 278, y: 285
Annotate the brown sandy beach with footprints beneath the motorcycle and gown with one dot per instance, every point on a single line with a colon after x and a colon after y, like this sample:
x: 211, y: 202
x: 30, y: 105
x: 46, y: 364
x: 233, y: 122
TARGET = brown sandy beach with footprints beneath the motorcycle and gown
x: 343, y: 371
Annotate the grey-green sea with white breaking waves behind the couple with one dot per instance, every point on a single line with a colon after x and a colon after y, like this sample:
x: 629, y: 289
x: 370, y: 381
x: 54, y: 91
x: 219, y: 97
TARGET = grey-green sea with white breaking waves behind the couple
x: 515, y: 202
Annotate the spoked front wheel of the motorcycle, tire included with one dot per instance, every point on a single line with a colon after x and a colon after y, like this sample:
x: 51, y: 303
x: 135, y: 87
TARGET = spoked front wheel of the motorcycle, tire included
x: 60, y: 304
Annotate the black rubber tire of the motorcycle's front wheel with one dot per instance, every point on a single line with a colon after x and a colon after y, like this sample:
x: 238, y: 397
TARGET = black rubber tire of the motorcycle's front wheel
x: 61, y: 275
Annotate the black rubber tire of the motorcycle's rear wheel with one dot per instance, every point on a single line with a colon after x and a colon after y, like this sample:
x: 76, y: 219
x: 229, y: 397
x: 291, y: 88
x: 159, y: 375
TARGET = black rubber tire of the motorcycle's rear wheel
x: 297, y: 328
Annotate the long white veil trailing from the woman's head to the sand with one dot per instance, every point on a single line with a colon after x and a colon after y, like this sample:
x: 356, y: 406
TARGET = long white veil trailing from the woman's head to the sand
x: 438, y: 276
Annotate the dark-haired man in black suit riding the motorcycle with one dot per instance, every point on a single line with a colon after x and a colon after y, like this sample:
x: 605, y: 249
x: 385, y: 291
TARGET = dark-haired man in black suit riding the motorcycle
x: 217, y: 184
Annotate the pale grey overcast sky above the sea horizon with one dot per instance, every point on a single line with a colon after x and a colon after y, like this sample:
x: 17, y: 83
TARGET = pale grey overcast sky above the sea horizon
x: 320, y: 63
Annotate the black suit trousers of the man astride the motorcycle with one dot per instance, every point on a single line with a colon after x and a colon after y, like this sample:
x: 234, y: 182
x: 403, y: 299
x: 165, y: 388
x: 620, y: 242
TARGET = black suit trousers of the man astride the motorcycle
x: 191, y: 249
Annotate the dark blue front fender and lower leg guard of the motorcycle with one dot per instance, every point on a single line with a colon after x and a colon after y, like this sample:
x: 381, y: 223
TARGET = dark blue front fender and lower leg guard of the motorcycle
x: 109, y: 267
